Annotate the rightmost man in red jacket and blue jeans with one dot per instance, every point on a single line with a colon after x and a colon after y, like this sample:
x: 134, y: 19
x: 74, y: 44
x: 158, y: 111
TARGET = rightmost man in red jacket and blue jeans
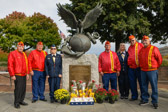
x: 150, y: 60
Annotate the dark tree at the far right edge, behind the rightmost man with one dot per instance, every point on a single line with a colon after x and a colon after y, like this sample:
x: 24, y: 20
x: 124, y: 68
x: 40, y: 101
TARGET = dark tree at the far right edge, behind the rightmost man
x: 158, y: 17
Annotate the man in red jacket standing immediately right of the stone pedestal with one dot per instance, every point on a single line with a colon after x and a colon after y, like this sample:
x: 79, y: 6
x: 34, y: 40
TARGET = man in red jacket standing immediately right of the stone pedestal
x: 109, y: 67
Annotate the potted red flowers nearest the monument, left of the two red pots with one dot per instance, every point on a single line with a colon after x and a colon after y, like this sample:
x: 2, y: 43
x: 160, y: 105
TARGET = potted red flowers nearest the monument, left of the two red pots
x: 100, y: 95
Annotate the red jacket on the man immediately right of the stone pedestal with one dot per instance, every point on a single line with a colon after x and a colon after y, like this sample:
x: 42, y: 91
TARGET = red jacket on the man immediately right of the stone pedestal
x: 109, y: 62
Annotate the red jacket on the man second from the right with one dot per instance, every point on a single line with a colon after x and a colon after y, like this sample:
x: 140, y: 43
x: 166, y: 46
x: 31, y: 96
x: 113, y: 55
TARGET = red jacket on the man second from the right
x: 133, y: 52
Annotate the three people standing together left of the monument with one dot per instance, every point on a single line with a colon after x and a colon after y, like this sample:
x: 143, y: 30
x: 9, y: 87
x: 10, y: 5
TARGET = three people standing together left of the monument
x: 39, y: 65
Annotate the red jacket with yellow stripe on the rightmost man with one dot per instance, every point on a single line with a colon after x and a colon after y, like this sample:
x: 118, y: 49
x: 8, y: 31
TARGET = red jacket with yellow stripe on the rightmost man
x: 150, y: 58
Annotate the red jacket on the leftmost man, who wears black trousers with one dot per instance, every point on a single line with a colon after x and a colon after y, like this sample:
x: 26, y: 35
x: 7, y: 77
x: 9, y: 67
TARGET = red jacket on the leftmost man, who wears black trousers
x: 17, y: 63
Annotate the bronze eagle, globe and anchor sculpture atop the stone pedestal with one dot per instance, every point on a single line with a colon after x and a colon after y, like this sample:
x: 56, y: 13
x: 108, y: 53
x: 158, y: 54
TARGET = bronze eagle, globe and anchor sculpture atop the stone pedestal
x: 79, y: 43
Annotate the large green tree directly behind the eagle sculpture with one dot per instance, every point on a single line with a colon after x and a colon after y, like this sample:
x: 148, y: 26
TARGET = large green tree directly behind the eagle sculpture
x: 119, y: 19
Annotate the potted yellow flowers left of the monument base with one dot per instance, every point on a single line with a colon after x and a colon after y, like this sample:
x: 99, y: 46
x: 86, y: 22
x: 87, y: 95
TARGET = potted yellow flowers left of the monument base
x: 62, y: 95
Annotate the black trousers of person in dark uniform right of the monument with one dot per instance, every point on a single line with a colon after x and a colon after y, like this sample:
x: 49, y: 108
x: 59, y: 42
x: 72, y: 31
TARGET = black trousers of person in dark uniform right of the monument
x: 123, y: 83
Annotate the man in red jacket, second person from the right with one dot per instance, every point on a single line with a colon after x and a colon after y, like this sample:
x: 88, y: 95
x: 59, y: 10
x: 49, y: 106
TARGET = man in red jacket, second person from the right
x: 134, y: 71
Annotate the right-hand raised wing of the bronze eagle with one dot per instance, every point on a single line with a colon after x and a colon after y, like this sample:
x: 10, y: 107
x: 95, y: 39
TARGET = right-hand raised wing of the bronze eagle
x: 92, y: 16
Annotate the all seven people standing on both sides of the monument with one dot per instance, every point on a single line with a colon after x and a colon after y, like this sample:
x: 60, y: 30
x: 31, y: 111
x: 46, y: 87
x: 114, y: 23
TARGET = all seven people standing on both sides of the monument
x: 139, y: 63
